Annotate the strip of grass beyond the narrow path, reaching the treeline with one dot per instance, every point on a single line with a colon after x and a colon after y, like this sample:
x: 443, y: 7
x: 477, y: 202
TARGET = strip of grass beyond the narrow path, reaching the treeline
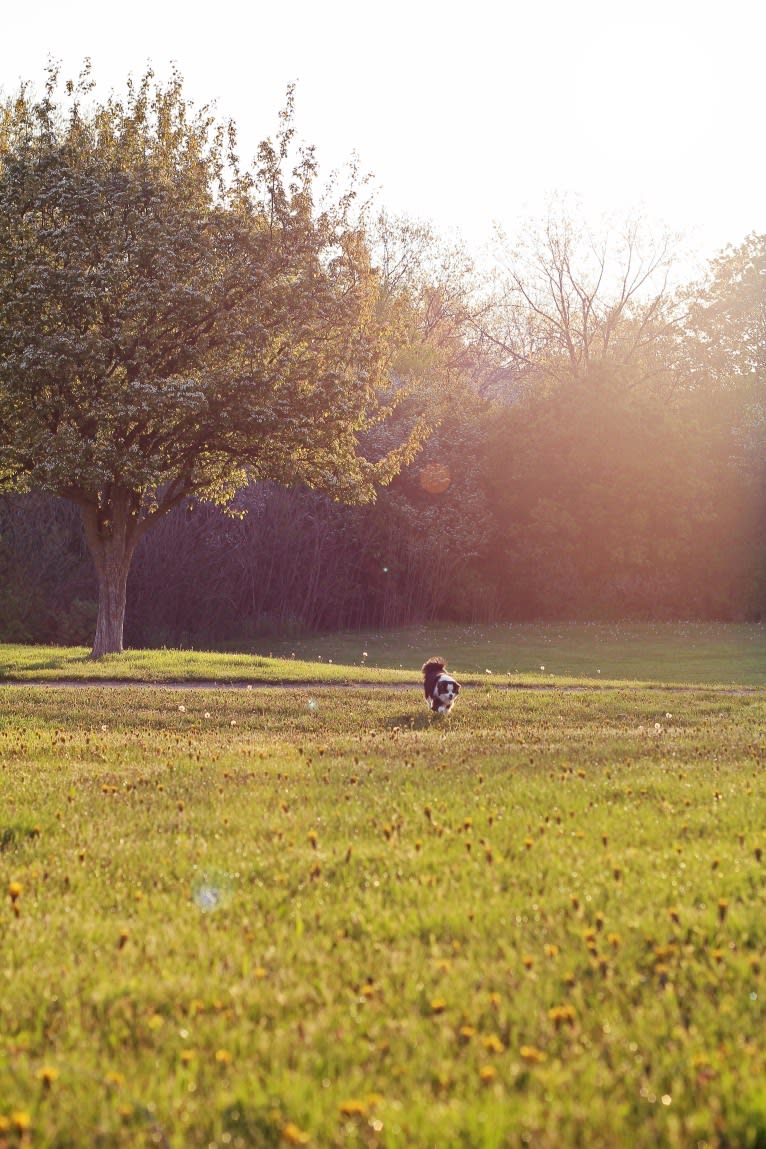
x: 682, y: 653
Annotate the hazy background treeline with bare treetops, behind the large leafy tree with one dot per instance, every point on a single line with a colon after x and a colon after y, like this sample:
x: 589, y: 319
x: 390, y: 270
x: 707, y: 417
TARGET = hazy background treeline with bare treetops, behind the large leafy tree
x: 598, y: 449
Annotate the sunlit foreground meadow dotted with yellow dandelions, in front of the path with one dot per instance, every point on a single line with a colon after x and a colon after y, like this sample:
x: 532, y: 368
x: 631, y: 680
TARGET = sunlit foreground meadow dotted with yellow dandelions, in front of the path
x: 274, y: 917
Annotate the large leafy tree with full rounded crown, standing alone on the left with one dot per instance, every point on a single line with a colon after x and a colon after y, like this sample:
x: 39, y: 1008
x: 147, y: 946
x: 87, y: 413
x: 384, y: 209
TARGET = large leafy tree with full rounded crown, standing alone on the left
x: 173, y: 326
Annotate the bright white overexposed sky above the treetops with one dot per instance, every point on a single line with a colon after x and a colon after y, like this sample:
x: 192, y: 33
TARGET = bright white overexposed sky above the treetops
x: 466, y: 115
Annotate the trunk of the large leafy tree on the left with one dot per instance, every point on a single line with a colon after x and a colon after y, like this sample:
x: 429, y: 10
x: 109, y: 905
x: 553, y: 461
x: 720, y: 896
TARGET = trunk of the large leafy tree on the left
x: 112, y: 531
